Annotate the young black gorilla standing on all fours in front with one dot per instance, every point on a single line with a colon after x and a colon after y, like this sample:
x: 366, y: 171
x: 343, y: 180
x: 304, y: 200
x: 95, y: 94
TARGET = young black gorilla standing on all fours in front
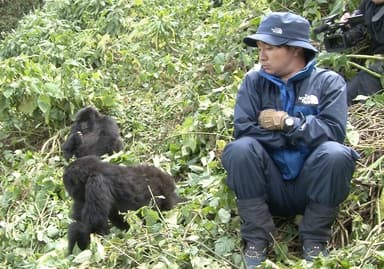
x: 101, y: 190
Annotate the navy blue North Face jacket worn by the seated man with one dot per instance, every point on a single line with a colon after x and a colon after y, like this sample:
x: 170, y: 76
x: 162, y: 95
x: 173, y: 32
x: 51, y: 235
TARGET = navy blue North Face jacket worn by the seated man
x: 317, y: 97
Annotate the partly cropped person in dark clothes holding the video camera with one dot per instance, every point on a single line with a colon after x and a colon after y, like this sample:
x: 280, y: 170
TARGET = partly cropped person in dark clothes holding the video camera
x: 364, y: 83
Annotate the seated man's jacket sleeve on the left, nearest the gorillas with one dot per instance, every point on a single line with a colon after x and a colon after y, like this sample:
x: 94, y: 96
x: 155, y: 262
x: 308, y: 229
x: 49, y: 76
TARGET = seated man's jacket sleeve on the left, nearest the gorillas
x: 247, y: 109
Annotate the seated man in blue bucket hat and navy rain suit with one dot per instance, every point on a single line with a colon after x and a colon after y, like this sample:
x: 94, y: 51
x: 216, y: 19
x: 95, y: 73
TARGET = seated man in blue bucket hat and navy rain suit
x: 287, y: 157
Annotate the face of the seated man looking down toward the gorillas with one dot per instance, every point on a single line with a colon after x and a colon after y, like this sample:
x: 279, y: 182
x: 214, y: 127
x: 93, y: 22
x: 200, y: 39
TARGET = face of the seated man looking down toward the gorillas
x: 280, y: 61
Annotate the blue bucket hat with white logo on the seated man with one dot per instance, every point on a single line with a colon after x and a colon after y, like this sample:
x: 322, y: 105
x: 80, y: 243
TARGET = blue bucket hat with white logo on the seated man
x: 282, y: 28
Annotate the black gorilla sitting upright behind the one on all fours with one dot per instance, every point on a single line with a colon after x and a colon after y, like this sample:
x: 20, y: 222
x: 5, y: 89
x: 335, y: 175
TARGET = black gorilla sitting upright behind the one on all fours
x: 92, y: 133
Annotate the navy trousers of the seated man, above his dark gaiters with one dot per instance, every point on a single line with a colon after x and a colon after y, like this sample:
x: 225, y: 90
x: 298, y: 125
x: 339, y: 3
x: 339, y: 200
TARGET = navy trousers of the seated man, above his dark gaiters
x: 324, y: 178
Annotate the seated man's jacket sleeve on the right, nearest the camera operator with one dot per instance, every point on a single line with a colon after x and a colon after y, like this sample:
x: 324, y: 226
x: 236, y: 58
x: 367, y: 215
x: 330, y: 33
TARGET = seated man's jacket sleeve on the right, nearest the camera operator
x: 329, y: 124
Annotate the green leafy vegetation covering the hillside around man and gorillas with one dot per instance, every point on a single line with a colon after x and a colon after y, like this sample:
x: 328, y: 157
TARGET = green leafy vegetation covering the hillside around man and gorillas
x: 168, y: 72
